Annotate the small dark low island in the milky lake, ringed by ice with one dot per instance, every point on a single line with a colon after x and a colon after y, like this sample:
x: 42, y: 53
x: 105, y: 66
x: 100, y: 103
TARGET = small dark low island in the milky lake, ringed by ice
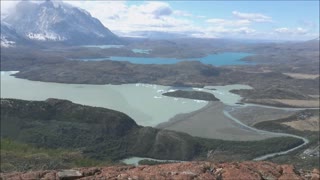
x: 198, y: 95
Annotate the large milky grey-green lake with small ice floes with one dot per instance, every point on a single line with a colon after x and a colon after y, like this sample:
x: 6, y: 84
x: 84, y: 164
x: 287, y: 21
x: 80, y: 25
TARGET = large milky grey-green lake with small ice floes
x: 142, y: 102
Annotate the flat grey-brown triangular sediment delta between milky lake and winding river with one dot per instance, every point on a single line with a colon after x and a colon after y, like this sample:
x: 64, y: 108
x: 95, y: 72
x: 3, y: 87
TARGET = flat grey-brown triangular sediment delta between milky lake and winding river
x: 210, y: 122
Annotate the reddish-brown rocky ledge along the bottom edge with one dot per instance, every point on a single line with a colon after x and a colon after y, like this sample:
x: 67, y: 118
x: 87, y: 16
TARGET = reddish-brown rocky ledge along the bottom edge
x: 187, y: 170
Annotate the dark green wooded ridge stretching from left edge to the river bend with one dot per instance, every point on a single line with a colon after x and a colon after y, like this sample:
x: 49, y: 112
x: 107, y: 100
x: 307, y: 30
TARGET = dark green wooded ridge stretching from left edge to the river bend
x: 58, y: 133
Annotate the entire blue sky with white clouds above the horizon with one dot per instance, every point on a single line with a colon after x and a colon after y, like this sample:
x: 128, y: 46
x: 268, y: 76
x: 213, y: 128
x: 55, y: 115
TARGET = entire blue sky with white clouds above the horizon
x: 274, y: 20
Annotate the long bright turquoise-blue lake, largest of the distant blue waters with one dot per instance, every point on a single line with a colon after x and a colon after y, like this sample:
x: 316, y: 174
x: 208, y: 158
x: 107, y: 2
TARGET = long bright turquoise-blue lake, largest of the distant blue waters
x: 221, y: 59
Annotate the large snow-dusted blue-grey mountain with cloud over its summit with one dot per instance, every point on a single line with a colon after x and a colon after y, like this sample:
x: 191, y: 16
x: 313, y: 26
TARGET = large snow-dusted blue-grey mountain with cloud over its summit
x: 58, y: 22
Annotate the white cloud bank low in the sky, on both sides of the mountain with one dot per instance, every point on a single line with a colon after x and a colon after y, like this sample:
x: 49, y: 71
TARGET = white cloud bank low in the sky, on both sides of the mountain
x: 122, y: 18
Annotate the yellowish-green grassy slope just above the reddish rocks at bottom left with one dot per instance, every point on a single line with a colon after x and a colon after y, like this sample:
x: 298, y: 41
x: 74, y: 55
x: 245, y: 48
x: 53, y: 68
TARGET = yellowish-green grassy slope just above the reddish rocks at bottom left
x: 17, y: 156
